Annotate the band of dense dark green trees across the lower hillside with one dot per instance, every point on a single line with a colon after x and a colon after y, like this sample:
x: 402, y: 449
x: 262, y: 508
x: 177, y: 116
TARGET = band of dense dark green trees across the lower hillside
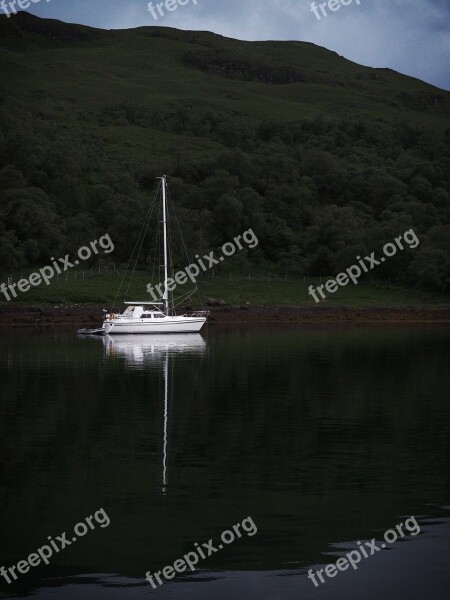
x: 317, y: 192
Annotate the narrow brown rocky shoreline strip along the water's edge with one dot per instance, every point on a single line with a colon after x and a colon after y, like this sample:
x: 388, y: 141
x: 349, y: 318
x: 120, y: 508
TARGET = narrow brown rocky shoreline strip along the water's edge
x: 93, y: 316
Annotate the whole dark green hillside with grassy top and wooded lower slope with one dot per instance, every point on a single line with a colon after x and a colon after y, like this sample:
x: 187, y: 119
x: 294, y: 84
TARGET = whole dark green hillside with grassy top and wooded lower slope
x: 325, y: 159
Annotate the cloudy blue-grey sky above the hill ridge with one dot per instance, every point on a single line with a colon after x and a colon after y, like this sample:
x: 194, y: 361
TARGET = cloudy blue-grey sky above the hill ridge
x: 410, y: 36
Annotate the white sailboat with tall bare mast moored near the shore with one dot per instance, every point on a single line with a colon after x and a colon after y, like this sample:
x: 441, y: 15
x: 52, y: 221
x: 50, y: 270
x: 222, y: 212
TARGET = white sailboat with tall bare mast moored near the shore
x: 149, y: 317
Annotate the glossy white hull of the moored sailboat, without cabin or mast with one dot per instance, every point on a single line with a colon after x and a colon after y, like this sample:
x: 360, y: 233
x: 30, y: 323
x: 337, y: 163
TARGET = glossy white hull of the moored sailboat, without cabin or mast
x: 120, y: 325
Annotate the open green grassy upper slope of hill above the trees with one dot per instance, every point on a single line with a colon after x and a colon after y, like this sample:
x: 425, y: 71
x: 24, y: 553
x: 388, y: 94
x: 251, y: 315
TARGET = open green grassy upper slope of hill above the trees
x: 72, y: 71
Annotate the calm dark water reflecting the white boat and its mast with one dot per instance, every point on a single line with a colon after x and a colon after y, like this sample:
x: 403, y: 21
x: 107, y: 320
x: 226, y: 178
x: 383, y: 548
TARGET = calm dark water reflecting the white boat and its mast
x: 324, y: 435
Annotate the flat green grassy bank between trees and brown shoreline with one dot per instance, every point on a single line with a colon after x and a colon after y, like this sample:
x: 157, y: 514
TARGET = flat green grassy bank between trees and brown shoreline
x: 93, y: 288
